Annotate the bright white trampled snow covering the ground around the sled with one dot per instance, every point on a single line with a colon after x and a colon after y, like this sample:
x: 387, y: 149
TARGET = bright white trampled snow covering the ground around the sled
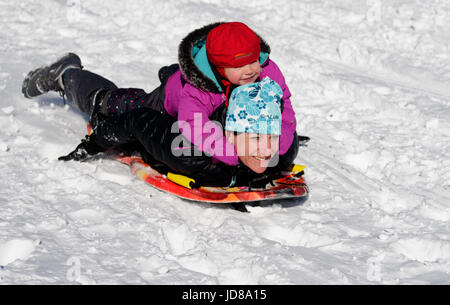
x: 370, y: 83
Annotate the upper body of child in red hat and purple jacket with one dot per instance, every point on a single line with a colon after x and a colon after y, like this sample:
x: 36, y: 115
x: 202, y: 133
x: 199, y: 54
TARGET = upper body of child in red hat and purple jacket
x: 213, y: 61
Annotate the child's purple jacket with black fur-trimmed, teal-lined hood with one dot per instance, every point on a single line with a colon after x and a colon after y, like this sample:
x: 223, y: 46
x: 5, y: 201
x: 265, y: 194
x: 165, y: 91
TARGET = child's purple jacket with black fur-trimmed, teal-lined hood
x: 193, y: 92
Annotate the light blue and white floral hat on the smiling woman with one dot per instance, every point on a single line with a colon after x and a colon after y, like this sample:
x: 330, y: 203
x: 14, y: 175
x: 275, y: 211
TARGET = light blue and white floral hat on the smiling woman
x: 255, y: 108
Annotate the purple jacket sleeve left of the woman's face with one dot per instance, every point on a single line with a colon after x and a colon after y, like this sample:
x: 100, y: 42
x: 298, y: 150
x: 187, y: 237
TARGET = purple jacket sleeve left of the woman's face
x: 196, y: 126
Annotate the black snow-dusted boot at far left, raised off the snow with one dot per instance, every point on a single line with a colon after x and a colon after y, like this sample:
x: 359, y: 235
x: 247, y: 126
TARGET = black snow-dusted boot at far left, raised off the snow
x: 48, y: 78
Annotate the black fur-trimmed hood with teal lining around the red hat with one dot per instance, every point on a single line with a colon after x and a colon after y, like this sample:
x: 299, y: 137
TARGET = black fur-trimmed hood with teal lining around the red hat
x: 200, y: 75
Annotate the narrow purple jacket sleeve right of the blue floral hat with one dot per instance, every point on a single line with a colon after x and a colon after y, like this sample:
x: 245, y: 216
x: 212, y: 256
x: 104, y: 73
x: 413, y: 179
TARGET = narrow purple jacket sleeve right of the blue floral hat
x: 288, y: 120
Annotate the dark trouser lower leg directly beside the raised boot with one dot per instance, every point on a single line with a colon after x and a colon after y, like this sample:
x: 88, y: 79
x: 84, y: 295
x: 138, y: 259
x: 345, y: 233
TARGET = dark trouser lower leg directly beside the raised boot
x: 84, y: 88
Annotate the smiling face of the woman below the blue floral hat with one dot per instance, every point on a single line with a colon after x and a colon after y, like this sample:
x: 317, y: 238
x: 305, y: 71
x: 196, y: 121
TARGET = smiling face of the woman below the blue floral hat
x: 256, y: 151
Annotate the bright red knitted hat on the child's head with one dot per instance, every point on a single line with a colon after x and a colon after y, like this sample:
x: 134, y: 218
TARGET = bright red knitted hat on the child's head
x: 232, y: 45
